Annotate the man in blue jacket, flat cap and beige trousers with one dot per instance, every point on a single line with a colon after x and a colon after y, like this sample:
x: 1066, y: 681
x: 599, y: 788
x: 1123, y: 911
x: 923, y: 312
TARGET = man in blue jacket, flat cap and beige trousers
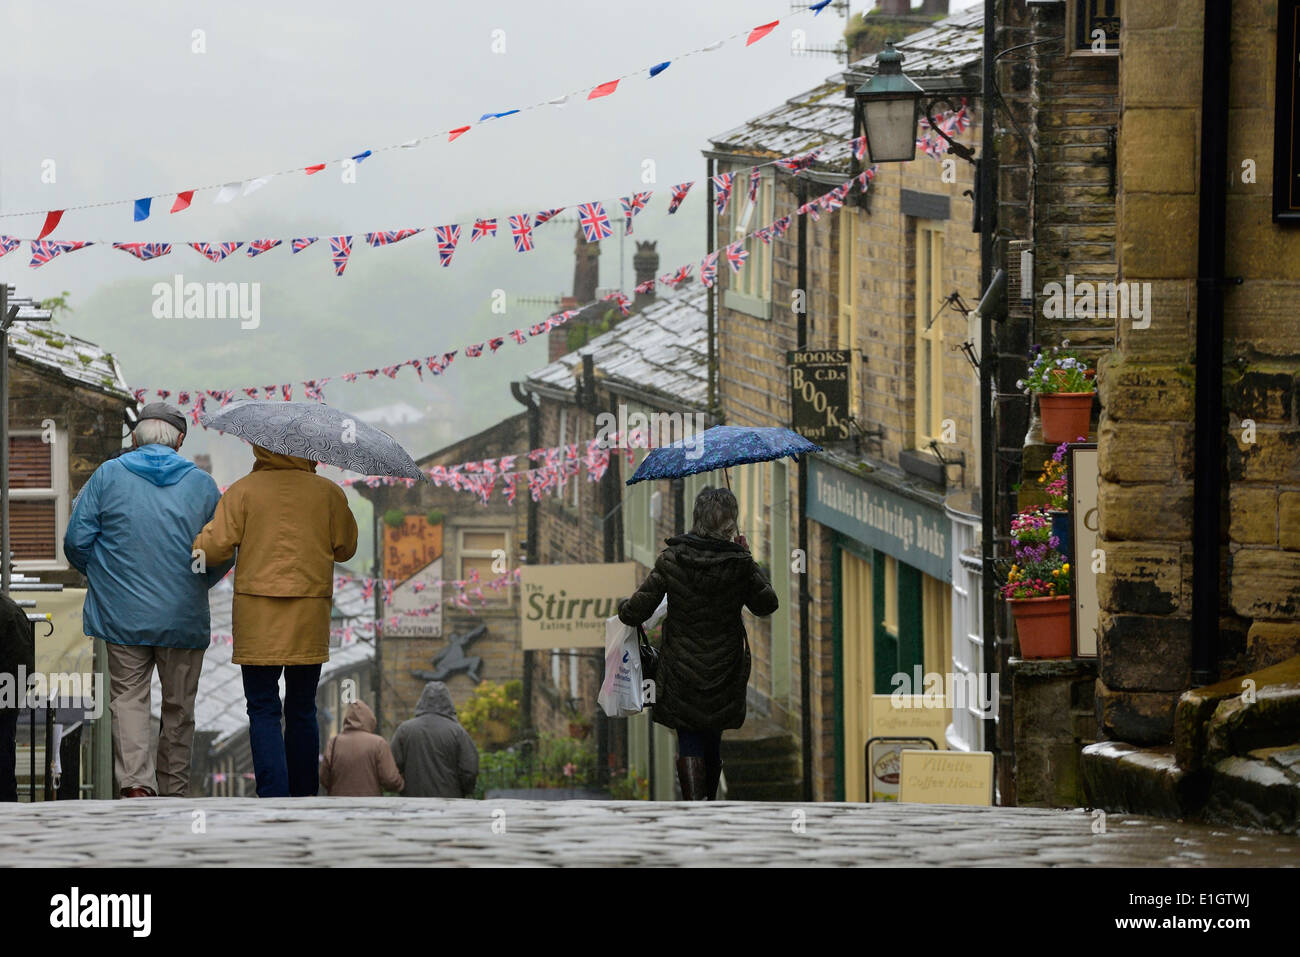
x: 131, y: 535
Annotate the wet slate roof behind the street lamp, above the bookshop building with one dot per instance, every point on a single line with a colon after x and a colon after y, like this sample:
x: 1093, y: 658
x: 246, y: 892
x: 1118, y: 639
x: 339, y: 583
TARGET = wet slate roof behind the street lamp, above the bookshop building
x: 824, y: 116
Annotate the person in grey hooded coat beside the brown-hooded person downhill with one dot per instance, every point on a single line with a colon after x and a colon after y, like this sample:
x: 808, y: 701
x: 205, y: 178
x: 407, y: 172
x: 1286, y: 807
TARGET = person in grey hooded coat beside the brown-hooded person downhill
x: 435, y: 755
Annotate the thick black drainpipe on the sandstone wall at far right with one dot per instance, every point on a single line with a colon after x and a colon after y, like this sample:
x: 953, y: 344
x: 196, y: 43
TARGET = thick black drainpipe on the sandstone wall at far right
x: 1208, y: 471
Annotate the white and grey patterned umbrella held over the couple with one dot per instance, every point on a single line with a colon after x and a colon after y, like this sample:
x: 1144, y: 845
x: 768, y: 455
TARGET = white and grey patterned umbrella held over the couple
x: 318, y: 432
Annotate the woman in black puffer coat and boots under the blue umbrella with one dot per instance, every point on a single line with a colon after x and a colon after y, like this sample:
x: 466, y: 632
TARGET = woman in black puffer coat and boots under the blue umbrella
x: 704, y: 664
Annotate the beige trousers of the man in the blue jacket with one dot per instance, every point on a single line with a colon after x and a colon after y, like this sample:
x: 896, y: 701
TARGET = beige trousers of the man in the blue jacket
x: 131, y: 670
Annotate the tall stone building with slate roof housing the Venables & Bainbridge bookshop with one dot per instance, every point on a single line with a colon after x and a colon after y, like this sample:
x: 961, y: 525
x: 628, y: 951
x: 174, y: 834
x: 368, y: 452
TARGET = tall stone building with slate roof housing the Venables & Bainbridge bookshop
x: 885, y: 282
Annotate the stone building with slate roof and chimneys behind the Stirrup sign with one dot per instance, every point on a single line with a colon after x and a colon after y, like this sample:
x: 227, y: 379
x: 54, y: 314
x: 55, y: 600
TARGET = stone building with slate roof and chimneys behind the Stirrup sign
x: 652, y: 362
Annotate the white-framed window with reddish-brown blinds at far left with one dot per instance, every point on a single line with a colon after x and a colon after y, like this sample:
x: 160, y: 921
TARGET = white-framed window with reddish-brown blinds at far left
x: 38, y: 500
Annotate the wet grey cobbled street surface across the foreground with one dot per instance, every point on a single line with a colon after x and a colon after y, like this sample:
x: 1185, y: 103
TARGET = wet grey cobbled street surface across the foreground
x: 583, y: 834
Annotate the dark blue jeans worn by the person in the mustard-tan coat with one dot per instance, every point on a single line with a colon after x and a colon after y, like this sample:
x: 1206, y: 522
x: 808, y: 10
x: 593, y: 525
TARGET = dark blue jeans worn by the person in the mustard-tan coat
x: 287, y: 767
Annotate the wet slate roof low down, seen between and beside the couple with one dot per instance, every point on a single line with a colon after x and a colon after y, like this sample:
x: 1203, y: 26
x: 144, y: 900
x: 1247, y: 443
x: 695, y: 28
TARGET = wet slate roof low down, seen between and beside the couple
x: 219, y: 707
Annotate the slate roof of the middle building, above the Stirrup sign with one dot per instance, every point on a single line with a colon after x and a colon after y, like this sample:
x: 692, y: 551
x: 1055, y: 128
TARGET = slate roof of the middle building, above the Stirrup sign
x: 664, y: 352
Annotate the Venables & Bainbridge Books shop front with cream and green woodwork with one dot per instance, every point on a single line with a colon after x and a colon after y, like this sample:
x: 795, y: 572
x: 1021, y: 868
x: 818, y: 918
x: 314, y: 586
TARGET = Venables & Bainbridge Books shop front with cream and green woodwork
x: 891, y: 568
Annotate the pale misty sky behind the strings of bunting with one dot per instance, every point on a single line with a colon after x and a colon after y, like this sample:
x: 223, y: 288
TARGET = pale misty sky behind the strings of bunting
x: 115, y: 97
